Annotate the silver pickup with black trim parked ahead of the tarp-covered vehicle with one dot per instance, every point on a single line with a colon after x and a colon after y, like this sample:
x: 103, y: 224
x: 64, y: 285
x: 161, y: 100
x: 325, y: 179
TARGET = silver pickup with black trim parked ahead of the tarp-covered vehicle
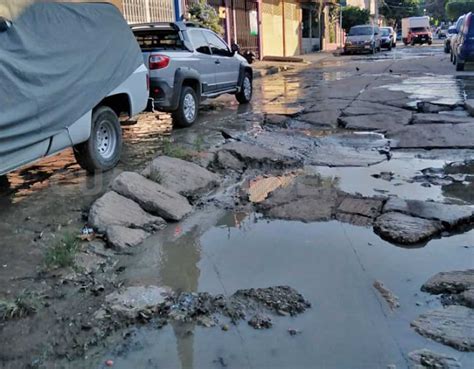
x: 189, y: 64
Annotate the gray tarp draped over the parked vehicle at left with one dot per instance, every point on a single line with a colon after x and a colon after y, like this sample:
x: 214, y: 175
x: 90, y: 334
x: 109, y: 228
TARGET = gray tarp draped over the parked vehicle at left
x: 57, y: 61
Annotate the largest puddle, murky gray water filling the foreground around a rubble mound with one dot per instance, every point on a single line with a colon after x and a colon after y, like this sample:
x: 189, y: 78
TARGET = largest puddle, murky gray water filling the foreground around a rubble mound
x: 334, y: 265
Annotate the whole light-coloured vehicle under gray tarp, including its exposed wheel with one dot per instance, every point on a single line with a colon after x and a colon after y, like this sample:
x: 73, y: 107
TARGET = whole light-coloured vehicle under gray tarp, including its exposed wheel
x: 65, y: 70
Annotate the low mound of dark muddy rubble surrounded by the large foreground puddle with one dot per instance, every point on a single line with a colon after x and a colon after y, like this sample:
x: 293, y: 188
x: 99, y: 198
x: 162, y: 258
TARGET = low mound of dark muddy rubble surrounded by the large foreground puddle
x: 205, y: 309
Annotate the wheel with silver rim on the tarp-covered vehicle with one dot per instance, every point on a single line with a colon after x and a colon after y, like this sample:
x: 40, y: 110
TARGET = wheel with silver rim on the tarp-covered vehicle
x: 103, y: 149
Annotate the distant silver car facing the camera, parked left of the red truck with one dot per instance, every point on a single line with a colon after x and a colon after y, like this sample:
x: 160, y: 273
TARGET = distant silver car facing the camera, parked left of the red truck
x: 363, y: 39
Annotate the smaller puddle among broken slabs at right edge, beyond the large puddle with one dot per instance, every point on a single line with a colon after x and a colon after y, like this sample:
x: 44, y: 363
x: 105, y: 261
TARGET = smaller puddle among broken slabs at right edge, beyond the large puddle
x: 404, y: 176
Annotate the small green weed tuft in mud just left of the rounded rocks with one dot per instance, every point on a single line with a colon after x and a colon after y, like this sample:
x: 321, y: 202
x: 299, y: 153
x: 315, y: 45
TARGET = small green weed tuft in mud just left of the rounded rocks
x: 62, y: 253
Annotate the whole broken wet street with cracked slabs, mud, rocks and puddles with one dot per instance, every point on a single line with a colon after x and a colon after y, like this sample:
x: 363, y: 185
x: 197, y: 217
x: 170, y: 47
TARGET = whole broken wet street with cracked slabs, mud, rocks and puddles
x: 324, y: 188
